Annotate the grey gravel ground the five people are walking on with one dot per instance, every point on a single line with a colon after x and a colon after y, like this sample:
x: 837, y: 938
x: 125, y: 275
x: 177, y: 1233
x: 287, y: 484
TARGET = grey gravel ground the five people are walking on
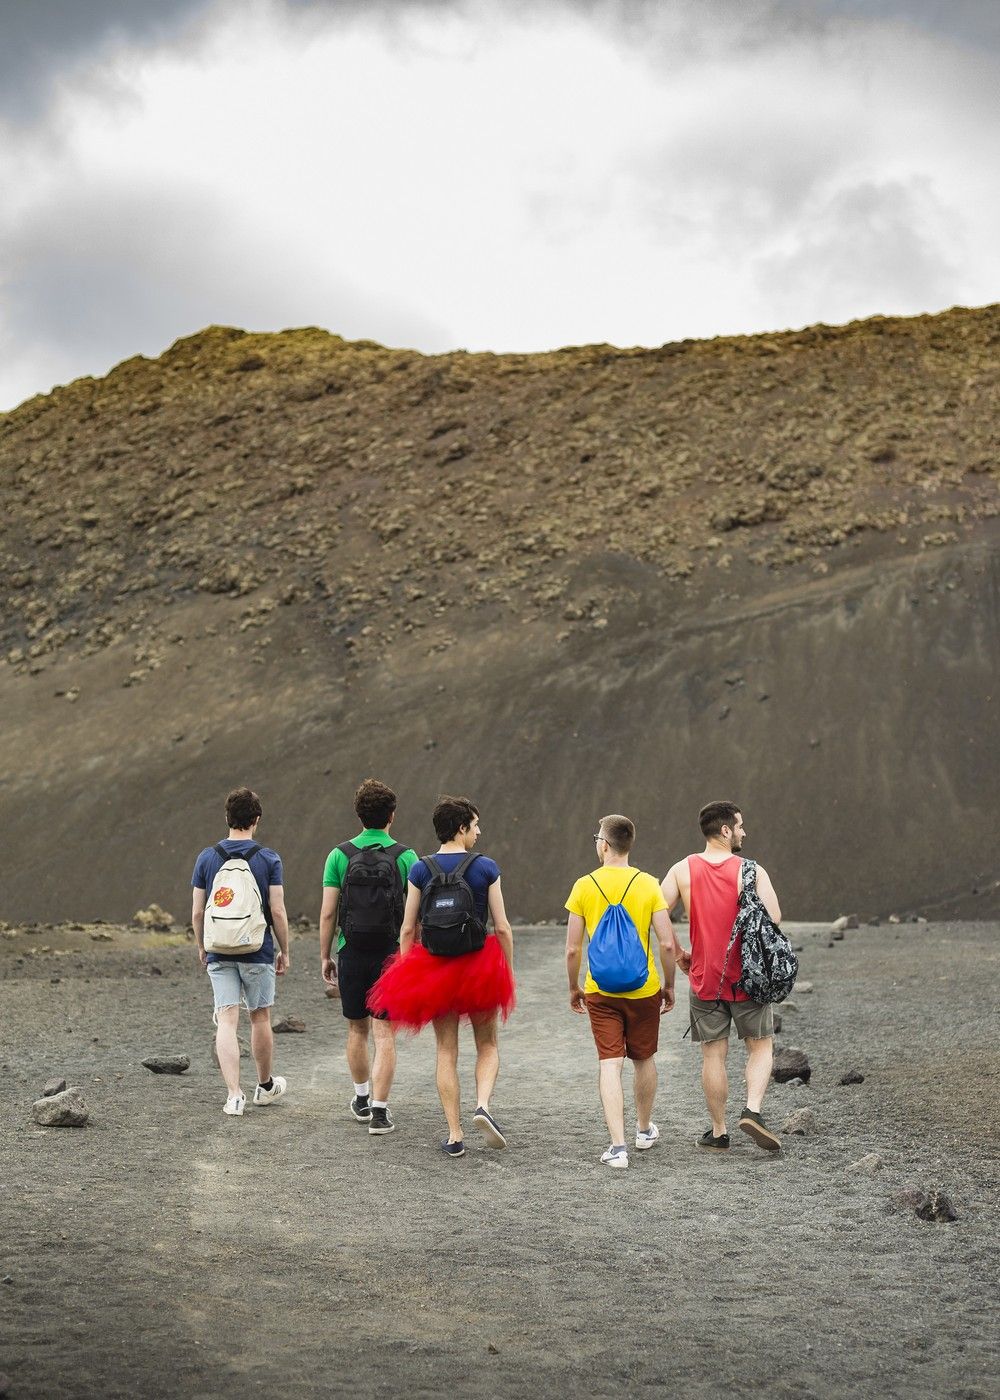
x: 167, y: 1251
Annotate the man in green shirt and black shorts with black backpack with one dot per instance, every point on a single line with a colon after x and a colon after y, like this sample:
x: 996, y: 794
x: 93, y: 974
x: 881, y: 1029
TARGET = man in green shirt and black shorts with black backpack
x: 365, y: 881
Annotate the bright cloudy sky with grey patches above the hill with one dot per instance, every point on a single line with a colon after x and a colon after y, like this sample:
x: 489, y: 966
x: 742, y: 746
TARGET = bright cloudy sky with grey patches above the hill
x: 487, y: 174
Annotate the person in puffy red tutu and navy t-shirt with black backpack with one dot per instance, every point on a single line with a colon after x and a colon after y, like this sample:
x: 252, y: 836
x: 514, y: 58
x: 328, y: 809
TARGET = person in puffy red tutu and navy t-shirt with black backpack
x: 459, y: 968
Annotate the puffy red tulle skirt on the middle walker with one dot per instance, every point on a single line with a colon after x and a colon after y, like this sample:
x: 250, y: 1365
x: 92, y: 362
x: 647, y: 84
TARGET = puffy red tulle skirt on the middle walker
x: 419, y: 988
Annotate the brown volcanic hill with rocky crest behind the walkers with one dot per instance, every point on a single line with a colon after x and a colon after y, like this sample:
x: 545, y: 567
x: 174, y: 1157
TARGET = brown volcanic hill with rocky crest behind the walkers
x: 575, y: 583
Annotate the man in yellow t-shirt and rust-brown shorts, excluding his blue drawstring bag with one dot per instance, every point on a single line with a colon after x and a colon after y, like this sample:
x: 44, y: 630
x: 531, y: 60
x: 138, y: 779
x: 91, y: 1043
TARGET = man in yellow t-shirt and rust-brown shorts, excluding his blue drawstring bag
x: 624, y: 1023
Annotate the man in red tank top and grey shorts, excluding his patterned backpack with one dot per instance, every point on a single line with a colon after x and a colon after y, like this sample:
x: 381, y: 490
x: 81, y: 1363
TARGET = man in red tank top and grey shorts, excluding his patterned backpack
x: 709, y: 885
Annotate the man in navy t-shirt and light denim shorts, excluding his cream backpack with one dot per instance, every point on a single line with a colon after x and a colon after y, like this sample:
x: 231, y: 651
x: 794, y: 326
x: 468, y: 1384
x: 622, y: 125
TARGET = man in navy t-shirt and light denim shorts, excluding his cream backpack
x: 244, y: 979
